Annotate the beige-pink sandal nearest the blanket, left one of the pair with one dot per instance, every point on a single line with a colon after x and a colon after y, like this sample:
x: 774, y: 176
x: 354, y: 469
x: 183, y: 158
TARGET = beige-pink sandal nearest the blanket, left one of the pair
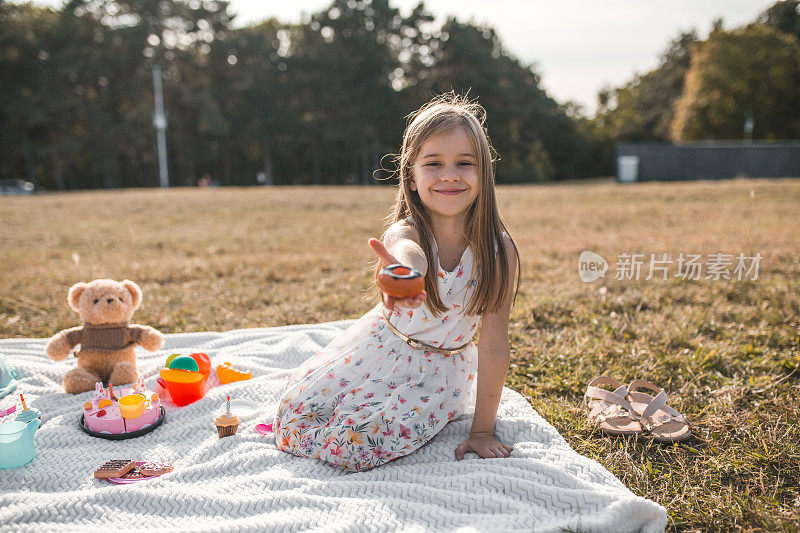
x: 610, y: 411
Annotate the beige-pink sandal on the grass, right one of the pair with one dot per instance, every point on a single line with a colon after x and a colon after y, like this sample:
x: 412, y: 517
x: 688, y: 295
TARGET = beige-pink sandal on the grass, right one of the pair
x: 661, y: 421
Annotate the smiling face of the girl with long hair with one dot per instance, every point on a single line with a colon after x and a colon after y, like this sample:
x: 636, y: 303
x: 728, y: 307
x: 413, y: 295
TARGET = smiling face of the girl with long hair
x: 445, y: 174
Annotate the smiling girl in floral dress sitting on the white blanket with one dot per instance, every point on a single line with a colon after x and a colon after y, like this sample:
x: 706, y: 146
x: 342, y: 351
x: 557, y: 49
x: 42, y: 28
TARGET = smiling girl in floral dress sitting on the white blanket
x: 370, y: 396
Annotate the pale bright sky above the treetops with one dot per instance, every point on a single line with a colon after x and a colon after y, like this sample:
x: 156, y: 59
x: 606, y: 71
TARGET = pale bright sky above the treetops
x: 578, y: 46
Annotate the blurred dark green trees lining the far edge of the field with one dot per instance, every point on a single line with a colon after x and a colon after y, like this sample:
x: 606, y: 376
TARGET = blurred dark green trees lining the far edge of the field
x: 324, y: 100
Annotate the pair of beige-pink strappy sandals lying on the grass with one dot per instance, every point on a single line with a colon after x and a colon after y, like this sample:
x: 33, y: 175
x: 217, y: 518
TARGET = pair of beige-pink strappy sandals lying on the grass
x: 626, y: 411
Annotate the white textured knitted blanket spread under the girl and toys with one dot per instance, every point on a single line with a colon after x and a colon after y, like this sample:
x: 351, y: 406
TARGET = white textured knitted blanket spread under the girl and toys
x: 244, y: 483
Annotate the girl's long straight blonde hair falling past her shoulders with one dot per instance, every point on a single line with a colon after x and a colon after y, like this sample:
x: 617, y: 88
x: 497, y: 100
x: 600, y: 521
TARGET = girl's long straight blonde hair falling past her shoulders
x: 483, y: 228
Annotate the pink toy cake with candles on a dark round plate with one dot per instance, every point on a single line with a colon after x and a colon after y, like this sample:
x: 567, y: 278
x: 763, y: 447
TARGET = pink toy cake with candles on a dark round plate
x: 103, y: 414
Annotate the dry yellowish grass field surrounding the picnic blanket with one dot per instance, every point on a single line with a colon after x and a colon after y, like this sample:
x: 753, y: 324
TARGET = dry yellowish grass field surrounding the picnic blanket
x: 725, y: 350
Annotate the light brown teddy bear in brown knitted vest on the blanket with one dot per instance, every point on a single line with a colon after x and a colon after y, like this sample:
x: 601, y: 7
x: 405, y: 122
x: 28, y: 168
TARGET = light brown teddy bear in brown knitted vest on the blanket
x: 106, y: 338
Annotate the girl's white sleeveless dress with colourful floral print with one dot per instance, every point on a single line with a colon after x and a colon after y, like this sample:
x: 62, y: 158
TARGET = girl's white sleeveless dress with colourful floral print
x: 368, y: 397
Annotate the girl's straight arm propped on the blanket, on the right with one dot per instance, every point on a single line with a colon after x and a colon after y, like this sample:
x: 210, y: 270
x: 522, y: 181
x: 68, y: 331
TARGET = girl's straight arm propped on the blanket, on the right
x: 493, y: 360
